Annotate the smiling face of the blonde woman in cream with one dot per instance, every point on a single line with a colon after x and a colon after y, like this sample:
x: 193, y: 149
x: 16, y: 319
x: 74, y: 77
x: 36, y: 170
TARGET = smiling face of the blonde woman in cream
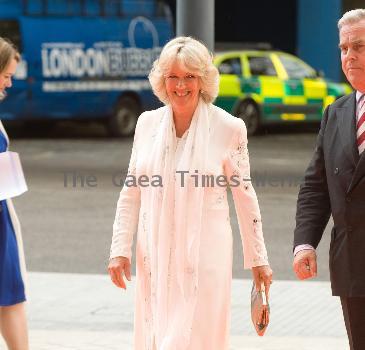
x: 182, y: 87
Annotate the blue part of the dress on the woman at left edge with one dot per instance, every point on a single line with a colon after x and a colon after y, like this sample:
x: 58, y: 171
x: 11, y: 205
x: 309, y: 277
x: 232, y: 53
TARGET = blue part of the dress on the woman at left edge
x: 11, y: 282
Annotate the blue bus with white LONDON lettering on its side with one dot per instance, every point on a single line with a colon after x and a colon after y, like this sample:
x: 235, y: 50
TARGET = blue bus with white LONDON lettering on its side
x: 84, y: 59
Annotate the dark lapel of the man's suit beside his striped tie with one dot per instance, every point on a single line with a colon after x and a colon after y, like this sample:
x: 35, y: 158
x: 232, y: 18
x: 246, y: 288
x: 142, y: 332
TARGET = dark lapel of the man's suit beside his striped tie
x: 347, y: 128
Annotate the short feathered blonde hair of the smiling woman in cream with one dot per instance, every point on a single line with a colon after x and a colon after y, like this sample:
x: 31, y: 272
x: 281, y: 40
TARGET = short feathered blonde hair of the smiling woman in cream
x: 195, y: 57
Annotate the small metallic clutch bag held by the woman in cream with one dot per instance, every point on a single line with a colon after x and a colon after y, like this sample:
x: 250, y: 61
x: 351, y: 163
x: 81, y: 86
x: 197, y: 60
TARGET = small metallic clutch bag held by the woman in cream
x: 260, y: 310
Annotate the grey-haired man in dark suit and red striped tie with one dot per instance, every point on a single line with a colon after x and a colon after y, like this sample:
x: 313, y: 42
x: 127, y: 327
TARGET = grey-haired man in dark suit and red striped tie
x: 334, y: 183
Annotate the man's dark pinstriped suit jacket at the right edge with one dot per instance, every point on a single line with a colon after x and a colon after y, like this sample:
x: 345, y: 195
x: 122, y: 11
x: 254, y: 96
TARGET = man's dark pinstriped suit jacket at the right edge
x: 334, y: 183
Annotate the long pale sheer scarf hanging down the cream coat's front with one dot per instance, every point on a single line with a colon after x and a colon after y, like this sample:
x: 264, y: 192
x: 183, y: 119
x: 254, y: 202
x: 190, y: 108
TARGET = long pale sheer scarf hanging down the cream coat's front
x: 171, y: 326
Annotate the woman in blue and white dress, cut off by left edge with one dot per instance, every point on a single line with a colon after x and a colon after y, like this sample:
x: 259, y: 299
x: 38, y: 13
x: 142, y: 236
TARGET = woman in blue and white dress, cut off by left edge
x: 13, y: 324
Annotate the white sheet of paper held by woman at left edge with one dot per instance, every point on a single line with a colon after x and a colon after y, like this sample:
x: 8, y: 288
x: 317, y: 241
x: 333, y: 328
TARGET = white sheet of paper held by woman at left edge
x: 12, y: 182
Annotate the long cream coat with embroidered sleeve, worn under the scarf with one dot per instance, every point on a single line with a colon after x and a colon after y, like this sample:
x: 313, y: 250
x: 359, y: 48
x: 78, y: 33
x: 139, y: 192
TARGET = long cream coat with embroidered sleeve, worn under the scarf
x: 228, y: 156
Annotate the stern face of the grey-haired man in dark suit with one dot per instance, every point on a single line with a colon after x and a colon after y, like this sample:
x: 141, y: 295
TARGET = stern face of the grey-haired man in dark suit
x: 352, y: 45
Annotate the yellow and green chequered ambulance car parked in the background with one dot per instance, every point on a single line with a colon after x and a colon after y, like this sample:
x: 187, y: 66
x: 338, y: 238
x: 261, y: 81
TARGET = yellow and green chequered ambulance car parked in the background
x: 266, y: 87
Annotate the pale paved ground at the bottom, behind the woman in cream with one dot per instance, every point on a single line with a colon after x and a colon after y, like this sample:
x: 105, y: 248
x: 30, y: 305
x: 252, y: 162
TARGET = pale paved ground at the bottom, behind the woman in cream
x: 86, y: 312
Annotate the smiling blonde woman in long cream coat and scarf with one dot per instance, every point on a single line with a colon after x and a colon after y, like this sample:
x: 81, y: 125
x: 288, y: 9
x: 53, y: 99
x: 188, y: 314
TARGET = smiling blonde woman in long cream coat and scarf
x: 184, y: 243
